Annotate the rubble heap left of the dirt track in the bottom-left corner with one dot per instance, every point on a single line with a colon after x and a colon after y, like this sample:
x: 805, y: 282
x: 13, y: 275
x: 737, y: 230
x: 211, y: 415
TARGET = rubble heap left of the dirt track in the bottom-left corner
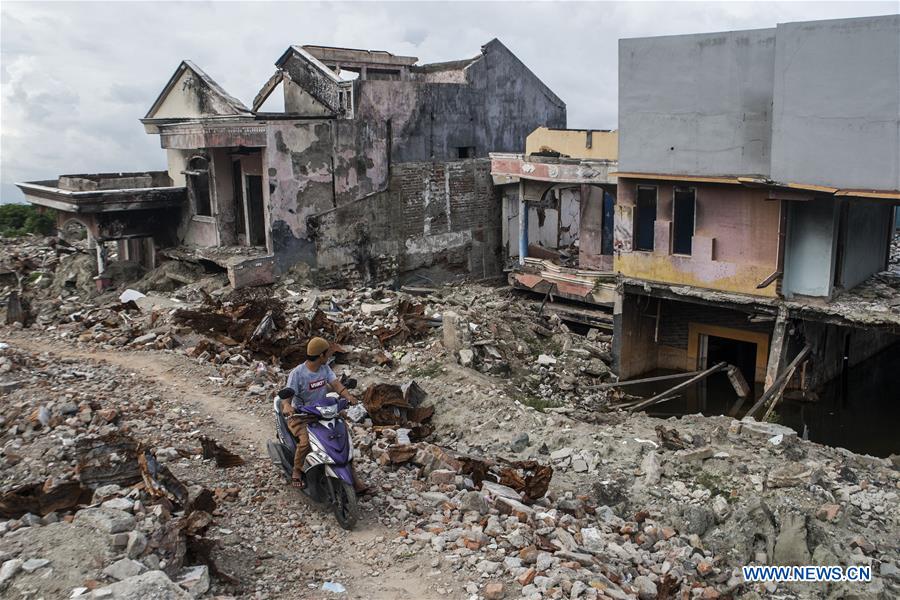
x: 74, y: 476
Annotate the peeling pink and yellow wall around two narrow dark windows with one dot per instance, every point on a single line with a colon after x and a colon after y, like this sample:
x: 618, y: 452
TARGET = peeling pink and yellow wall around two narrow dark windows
x: 735, y: 244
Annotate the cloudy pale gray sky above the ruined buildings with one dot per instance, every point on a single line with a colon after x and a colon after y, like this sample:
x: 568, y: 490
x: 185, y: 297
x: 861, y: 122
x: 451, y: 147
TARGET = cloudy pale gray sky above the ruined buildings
x: 76, y: 77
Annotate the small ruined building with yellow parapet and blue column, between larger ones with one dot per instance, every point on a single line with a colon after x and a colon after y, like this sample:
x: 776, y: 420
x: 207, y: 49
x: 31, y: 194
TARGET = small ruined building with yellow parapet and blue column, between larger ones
x: 558, y: 203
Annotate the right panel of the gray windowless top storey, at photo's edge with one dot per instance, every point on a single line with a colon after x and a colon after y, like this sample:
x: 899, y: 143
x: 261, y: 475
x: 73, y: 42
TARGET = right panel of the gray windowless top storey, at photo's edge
x: 837, y: 103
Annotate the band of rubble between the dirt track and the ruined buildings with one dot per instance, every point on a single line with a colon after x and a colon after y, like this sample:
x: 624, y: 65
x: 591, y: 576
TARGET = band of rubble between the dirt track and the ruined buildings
x: 255, y: 335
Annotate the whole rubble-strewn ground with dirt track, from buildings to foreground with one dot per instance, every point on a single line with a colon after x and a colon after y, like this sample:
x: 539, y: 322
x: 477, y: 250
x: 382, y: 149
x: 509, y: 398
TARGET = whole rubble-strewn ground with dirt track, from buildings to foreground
x: 636, y: 507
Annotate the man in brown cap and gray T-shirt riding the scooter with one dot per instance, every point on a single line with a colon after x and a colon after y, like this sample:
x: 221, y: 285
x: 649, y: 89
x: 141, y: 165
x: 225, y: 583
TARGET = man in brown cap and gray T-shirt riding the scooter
x: 311, y: 381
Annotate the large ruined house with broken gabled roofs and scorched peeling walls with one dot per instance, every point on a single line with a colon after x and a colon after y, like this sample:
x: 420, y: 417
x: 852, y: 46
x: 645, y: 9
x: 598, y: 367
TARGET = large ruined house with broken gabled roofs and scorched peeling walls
x: 376, y: 167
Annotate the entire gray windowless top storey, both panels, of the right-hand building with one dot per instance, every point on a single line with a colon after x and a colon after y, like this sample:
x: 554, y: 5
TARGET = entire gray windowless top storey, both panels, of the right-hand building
x: 812, y: 102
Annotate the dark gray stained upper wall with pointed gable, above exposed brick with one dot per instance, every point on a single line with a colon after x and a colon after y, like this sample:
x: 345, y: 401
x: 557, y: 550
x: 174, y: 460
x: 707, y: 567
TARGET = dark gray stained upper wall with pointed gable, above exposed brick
x: 495, y: 111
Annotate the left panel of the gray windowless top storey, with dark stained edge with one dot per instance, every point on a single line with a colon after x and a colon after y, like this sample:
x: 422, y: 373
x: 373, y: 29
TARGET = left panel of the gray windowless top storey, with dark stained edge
x: 696, y: 104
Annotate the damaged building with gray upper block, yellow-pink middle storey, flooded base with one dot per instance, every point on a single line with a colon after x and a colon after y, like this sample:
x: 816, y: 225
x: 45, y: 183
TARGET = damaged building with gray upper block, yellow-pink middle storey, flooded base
x: 758, y: 175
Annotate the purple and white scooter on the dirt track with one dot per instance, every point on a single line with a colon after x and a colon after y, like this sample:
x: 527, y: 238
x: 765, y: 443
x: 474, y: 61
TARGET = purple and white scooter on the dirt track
x: 327, y: 468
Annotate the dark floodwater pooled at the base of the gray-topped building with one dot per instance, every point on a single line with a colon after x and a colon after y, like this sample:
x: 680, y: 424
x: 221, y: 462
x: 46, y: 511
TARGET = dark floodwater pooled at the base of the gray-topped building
x: 860, y: 412
